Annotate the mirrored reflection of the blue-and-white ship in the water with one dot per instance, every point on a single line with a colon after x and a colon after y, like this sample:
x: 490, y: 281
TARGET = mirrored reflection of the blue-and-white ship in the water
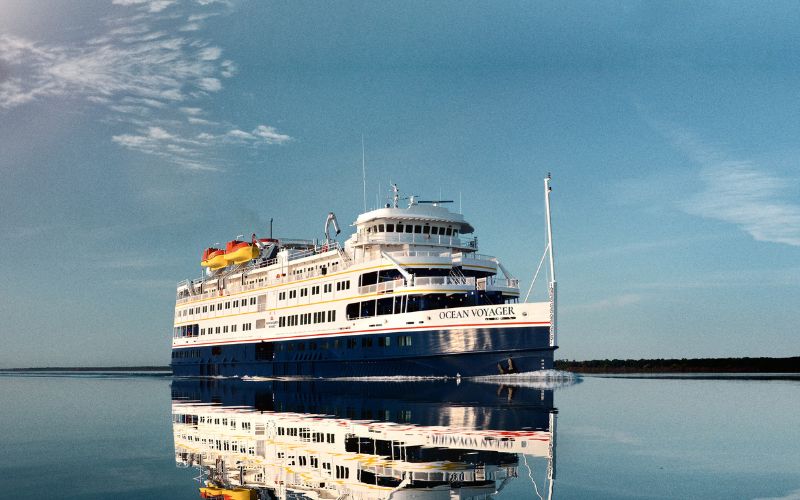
x: 363, y: 440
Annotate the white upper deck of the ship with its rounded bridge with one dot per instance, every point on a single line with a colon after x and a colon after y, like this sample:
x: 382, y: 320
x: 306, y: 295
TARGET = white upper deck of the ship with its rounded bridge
x: 422, y: 230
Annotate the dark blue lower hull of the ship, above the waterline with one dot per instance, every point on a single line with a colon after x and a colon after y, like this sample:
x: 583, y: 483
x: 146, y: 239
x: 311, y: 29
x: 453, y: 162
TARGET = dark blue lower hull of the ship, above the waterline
x: 466, y: 352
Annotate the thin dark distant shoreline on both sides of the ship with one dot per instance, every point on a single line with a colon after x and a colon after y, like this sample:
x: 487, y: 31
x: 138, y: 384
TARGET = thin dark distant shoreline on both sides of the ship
x: 597, y: 366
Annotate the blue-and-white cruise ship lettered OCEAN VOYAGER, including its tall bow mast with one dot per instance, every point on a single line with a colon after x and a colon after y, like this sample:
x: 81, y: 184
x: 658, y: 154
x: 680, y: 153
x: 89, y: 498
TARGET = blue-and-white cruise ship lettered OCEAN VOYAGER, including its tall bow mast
x: 407, y: 294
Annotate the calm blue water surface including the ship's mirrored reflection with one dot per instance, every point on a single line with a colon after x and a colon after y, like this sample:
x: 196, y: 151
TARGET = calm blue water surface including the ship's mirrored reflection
x: 118, y: 436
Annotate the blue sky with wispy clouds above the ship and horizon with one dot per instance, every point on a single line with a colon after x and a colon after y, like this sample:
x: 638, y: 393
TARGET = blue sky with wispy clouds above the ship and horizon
x: 135, y: 133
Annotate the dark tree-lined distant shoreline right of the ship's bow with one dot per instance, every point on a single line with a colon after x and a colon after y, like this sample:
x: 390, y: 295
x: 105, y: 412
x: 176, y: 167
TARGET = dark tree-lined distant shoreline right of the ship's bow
x: 696, y: 365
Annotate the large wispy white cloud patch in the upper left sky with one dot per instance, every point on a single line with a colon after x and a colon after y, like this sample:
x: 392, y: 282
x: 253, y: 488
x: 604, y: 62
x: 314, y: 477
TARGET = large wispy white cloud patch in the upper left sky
x: 149, y: 78
